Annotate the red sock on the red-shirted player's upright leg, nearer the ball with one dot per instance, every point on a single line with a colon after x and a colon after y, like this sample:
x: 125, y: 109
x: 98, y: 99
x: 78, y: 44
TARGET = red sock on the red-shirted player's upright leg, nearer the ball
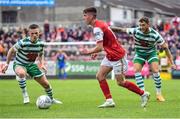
x: 105, y: 88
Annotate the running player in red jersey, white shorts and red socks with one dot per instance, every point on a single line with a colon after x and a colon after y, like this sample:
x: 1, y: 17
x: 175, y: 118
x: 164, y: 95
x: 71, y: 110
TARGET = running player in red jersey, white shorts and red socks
x: 114, y: 59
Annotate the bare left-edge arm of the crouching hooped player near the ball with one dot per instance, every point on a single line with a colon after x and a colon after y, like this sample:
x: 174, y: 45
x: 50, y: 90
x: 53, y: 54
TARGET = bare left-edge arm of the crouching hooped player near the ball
x: 11, y: 52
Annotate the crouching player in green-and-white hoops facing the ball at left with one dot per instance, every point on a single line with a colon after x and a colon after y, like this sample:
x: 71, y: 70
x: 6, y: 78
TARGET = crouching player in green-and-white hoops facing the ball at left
x: 27, y: 50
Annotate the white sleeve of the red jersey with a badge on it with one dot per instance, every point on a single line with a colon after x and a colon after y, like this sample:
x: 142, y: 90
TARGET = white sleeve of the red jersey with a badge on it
x: 98, y: 34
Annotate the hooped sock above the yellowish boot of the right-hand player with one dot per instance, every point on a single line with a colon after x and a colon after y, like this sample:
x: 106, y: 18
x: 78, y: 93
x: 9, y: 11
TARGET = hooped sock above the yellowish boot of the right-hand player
x: 157, y: 81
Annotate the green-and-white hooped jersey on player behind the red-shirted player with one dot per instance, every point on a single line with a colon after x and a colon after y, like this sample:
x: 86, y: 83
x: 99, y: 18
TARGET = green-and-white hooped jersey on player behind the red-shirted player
x: 145, y: 44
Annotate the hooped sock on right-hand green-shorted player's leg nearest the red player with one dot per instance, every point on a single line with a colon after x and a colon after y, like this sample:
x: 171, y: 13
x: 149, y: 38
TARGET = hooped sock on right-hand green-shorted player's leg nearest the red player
x: 139, y: 81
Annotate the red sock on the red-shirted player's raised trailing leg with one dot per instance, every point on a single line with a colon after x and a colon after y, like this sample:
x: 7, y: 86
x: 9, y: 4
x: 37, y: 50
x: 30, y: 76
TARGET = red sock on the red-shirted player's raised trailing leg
x: 132, y: 87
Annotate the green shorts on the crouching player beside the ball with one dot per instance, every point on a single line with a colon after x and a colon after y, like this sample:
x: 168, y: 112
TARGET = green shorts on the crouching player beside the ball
x: 31, y: 69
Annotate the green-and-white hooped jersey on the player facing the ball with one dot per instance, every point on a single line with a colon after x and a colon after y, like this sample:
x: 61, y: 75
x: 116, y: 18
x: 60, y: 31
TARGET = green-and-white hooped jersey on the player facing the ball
x: 27, y: 52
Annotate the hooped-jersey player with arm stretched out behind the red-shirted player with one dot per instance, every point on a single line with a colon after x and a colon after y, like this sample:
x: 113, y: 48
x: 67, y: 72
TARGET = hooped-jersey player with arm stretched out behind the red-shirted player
x: 146, y: 40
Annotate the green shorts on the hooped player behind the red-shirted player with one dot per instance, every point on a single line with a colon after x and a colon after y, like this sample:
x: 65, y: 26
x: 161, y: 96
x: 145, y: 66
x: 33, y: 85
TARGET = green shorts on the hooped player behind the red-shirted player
x: 141, y: 59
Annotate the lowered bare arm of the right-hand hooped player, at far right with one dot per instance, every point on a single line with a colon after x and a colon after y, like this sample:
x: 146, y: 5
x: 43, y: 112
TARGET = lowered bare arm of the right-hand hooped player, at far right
x: 169, y: 55
